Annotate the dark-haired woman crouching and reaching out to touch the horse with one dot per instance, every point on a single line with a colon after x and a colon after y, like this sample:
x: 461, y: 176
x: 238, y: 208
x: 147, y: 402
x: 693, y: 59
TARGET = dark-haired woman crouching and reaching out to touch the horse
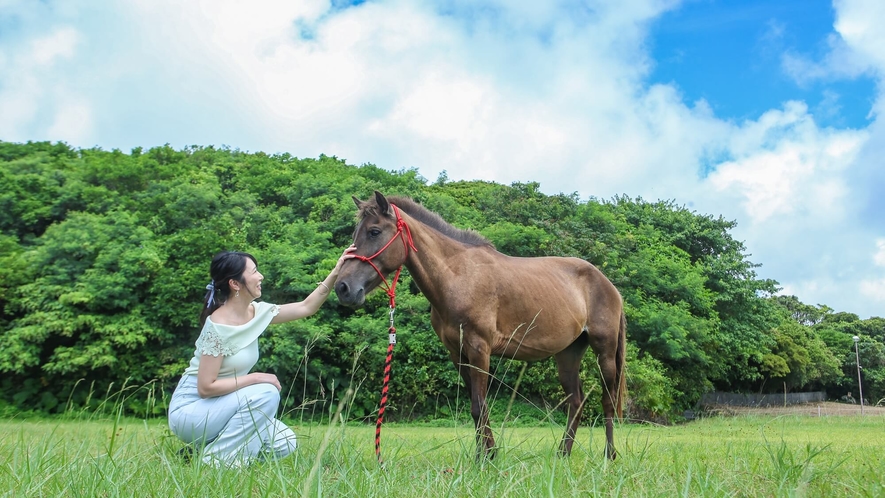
x: 219, y: 406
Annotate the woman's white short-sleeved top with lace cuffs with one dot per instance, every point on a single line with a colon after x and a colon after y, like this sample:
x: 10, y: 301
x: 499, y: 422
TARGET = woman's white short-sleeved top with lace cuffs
x: 238, y: 344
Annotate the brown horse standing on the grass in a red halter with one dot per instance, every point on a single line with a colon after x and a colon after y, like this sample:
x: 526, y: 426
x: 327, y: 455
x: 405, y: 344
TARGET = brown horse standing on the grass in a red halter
x: 486, y: 303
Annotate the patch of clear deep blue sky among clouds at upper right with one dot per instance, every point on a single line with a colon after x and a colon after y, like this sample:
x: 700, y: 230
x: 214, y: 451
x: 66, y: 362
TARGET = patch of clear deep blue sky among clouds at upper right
x: 729, y: 53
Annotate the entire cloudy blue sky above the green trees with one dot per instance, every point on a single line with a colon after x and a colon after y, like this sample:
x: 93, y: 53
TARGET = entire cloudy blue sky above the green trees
x: 767, y: 113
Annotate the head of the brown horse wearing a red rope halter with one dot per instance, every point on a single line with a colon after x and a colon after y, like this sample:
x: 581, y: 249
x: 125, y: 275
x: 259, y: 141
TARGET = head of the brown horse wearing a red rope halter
x: 379, y: 250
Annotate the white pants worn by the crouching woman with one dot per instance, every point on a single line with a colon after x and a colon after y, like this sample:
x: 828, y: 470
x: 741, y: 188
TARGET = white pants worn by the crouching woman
x: 233, y: 429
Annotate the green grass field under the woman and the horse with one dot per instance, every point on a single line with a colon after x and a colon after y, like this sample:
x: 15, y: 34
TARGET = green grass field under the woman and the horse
x: 719, y: 456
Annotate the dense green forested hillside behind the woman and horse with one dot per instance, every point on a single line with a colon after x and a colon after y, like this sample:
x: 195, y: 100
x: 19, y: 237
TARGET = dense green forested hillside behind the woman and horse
x: 104, y: 259
